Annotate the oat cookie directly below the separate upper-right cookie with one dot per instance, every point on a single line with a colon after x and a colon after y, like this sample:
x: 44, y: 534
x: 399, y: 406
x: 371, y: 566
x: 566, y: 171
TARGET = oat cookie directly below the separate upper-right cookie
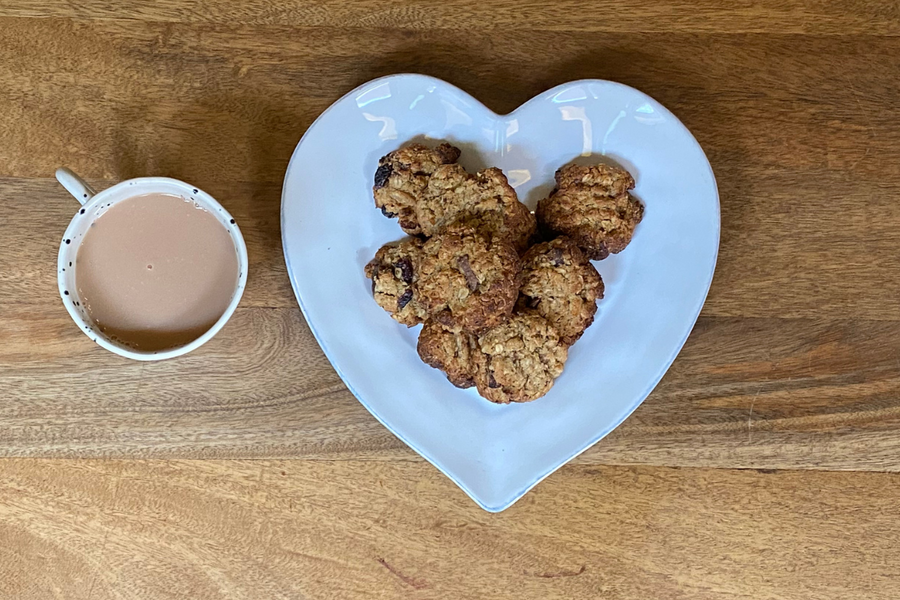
x: 561, y: 285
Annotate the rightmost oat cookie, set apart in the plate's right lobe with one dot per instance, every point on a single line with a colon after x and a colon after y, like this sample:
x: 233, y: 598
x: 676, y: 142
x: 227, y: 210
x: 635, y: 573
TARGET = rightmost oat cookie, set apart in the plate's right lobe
x: 592, y: 206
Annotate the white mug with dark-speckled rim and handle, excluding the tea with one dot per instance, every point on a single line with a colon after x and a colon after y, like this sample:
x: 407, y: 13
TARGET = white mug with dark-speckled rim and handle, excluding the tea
x: 94, y: 204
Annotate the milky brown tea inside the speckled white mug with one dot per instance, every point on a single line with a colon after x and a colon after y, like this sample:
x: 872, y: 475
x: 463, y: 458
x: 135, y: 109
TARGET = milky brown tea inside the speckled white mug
x: 156, y: 271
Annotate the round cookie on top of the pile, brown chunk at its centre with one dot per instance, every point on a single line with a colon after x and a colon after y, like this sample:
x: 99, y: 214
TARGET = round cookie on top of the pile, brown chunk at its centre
x: 468, y: 280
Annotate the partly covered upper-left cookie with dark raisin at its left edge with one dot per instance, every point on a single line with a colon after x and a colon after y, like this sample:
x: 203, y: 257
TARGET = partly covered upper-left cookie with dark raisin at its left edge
x: 403, y: 175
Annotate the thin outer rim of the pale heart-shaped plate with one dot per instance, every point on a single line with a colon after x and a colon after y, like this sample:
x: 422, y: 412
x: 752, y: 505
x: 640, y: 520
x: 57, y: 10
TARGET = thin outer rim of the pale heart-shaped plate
x: 629, y: 410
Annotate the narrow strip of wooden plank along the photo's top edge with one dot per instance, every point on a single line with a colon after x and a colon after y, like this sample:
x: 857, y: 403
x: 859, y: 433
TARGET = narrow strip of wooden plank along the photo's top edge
x: 837, y: 17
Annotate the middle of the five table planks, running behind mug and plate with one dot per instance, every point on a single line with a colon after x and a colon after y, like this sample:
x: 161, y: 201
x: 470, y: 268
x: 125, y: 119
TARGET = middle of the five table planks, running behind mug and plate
x: 837, y: 262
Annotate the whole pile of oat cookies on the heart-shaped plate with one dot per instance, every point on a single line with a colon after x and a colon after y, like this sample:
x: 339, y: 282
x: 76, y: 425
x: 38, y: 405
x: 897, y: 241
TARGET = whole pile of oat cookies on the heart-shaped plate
x: 500, y: 308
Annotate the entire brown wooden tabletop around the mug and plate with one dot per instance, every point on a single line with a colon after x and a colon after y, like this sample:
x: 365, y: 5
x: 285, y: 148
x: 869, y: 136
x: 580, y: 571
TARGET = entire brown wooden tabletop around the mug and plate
x: 763, y: 466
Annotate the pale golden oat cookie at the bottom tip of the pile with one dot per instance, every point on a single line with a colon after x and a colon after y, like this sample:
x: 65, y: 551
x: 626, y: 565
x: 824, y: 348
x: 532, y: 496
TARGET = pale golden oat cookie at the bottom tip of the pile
x: 519, y: 359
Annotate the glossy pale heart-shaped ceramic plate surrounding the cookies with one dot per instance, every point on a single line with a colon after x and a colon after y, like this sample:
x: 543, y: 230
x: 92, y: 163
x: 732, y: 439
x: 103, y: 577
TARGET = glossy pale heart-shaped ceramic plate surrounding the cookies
x: 654, y: 289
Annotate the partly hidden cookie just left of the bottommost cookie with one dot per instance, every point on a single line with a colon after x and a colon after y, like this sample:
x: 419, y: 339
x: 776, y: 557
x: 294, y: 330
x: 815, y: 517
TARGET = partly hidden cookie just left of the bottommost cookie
x: 452, y: 353
